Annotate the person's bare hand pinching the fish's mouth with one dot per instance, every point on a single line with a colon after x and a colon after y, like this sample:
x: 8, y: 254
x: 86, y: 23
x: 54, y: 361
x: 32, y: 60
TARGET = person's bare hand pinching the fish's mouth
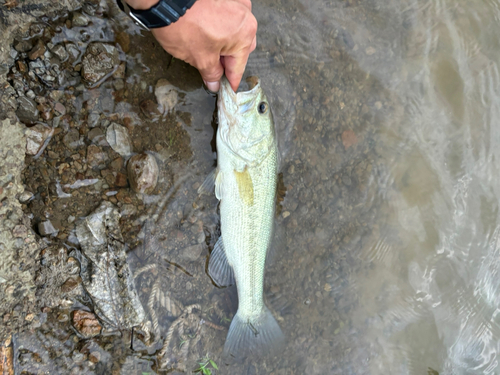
x: 214, y: 36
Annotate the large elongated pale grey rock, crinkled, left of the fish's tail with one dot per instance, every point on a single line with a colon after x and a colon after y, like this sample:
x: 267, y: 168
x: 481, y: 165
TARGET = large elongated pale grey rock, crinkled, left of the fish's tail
x: 105, y: 272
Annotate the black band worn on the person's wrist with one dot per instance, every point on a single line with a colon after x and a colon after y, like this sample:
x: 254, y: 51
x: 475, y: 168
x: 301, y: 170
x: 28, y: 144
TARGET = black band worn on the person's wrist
x: 162, y: 14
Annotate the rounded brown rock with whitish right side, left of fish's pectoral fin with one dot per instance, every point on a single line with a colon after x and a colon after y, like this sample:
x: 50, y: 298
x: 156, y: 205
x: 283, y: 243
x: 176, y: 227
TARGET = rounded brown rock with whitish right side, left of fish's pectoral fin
x: 143, y: 172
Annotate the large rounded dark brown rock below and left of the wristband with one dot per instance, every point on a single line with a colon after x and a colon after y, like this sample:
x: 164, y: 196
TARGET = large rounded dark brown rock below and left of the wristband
x: 99, y: 61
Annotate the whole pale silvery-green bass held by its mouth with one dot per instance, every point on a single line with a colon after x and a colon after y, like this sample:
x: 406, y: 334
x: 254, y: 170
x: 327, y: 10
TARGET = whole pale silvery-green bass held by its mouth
x: 245, y: 183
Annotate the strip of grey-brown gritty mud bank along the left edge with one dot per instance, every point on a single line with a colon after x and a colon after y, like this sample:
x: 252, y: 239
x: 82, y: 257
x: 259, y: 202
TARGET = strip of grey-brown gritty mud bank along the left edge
x: 18, y: 245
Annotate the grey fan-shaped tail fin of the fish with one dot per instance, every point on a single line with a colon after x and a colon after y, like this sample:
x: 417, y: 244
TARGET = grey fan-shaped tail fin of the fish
x: 259, y: 337
